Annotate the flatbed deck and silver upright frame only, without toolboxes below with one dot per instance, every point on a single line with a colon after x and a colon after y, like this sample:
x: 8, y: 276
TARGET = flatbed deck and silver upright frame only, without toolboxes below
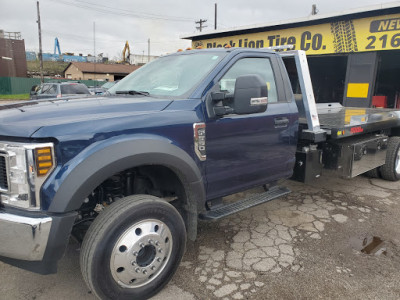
x: 323, y: 121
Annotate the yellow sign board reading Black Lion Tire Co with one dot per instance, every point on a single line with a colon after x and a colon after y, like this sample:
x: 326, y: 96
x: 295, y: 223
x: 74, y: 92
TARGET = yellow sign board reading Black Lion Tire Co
x: 357, y: 35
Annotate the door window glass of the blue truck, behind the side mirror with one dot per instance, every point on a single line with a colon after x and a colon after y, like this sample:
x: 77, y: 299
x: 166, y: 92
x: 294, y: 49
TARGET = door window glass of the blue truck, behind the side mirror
x: 246, y: 66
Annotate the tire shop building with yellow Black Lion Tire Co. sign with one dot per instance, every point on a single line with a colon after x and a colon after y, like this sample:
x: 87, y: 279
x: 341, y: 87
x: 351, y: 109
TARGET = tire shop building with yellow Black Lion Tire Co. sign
x: 354, y: 56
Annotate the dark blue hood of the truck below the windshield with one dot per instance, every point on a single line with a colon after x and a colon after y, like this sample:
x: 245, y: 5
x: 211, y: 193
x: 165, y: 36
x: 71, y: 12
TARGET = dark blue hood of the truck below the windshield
x: 24, y: 119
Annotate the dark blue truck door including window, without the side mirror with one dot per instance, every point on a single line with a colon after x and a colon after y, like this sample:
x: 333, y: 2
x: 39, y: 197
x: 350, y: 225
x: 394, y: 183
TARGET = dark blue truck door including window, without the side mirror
x: 253, y: 149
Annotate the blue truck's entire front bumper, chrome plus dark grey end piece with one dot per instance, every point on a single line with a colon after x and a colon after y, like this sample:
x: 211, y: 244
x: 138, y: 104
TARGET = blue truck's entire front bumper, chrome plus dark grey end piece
x: 34, y: 241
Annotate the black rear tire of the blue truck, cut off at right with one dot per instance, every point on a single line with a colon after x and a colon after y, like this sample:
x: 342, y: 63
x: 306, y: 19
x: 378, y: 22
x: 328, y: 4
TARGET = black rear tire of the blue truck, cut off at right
x: 388, y: 170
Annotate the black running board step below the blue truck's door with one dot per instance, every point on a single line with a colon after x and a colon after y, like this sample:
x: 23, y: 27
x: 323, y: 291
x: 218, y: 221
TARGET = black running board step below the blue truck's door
x: 231, y: 208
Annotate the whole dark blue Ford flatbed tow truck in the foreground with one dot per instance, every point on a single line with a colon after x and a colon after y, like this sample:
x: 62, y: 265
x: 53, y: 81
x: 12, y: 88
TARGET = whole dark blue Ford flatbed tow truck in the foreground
x: 130, y: 173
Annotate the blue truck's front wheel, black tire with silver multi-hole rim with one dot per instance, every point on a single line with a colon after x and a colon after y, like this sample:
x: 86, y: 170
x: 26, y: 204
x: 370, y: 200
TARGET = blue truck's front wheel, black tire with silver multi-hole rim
x: 126, y: 237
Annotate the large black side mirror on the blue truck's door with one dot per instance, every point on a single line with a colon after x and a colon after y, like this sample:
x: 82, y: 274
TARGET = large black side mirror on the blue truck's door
x: 251, y: 95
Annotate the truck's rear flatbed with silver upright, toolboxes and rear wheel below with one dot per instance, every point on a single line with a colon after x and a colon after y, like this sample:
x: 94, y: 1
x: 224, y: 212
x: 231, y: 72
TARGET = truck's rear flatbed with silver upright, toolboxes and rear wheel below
x: 347, y: 141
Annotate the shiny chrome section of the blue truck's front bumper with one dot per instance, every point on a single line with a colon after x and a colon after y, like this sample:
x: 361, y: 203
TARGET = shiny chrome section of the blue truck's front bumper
x: 23, y: 238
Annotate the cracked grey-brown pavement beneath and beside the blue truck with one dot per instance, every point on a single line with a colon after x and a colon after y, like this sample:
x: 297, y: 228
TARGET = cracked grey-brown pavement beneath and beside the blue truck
x: 306, y: 245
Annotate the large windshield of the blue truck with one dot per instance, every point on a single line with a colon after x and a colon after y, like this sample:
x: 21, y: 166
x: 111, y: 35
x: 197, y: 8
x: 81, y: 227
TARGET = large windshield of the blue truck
x: 173, y: 75
